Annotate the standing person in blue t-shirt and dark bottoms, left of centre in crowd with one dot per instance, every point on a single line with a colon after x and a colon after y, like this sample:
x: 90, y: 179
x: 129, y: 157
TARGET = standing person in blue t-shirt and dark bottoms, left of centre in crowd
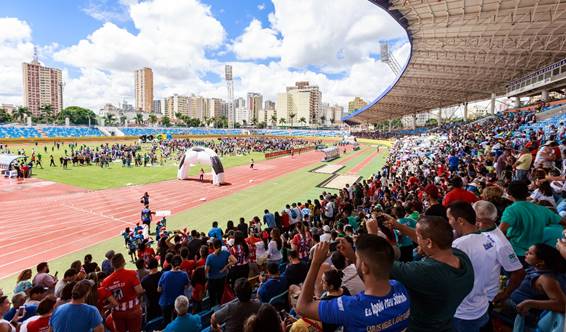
x: 217, y: 265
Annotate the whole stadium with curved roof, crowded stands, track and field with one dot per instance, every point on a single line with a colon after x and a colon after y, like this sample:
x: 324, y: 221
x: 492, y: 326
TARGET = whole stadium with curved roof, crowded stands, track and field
x: 455, y: 224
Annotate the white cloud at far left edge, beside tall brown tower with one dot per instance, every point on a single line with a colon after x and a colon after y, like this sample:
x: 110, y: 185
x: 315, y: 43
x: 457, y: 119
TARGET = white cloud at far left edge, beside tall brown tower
x: 15, y: 47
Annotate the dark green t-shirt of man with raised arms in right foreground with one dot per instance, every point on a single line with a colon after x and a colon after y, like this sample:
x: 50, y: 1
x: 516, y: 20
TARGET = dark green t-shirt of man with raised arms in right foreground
x: 435, y: 289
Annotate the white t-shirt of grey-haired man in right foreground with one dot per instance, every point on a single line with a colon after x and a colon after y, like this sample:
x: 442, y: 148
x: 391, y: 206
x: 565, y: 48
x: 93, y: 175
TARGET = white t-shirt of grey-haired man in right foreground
x: 506, y: 259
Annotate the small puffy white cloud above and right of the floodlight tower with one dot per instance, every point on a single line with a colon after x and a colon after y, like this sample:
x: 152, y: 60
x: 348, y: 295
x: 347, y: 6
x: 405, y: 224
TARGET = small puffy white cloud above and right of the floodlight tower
x: 257, y: 42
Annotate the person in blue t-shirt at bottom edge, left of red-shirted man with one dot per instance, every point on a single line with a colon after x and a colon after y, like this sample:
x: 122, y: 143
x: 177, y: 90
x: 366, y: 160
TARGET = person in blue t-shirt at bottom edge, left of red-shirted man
x: 77, y: 316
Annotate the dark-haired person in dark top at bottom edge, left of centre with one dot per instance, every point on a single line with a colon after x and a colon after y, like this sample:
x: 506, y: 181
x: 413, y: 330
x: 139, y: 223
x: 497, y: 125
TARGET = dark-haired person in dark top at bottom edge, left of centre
x: 233, y: 315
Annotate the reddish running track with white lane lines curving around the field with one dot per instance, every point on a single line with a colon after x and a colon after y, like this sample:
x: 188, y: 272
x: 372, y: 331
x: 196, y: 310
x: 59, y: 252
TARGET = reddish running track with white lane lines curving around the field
x: 44, y: 221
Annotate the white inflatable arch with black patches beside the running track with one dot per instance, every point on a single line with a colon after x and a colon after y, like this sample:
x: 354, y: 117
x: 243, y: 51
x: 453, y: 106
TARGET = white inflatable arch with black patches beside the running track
x: 201, y: 155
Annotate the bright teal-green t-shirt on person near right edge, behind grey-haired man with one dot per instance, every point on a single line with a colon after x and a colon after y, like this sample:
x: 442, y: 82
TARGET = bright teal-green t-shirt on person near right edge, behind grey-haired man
x: 526, y: 224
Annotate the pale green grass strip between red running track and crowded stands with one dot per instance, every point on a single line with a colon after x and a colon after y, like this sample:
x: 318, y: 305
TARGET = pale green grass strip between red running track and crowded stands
x: 298, y: 185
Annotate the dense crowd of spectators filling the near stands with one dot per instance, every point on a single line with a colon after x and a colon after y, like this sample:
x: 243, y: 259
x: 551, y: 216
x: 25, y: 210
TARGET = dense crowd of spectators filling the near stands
x: 461, y: 230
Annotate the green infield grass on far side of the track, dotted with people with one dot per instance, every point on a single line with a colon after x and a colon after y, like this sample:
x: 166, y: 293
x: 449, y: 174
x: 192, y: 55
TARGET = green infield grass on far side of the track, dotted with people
x: 90, y: 177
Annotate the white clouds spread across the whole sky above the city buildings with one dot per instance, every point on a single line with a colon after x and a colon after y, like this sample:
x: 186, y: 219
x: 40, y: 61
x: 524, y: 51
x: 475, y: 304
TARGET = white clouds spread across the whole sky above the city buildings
x: 176, y: 38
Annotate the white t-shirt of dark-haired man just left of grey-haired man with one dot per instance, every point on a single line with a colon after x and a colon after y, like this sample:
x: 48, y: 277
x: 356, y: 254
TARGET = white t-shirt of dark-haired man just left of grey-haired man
x: 483, y: 256
